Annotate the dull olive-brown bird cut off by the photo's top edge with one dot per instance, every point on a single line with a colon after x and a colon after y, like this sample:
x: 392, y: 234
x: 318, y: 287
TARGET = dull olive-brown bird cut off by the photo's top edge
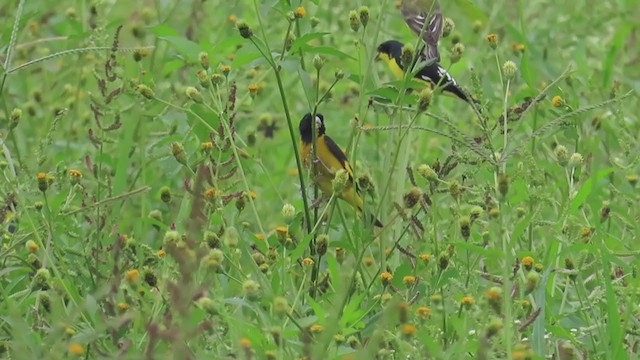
x: 416, y: 13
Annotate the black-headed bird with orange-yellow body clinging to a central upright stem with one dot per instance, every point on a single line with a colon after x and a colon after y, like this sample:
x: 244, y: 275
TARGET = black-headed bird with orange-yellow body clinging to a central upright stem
x: 330, y: 159
